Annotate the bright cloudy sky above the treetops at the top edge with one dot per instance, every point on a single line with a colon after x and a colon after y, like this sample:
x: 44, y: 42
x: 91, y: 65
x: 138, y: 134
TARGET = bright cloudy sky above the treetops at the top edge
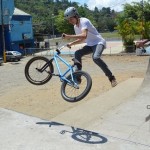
x: 113, y: 4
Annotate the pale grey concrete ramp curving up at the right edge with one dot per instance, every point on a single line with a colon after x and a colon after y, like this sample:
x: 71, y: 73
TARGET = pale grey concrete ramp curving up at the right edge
x: 128, y: 121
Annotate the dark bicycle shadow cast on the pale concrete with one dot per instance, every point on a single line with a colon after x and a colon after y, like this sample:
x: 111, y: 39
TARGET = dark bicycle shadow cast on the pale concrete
x: 78, y: 134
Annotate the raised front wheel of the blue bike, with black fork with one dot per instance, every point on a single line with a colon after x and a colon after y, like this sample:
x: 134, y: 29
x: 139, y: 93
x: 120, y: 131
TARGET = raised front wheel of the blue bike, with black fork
x: 33, y: 75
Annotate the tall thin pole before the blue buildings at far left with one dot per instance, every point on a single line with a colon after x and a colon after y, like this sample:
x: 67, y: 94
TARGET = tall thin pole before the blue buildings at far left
x: 3, y: 32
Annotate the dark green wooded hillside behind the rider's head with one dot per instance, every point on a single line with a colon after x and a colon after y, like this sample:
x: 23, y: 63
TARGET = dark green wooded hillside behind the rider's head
x: 47, y: 12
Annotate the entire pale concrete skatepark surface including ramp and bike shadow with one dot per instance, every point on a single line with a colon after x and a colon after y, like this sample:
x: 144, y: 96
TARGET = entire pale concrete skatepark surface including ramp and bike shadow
x: 122, y: 123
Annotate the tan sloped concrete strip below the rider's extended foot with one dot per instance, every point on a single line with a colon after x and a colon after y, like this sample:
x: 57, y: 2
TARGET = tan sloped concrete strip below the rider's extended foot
x: 86, y: 113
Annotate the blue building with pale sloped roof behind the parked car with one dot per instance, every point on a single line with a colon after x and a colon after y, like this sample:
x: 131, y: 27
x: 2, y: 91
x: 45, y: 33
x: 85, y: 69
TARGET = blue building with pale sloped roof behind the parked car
x: 20, y: 32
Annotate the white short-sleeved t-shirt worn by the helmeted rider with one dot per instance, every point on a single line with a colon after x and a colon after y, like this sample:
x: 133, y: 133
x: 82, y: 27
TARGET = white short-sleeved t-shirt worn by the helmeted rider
x: 93, y: 37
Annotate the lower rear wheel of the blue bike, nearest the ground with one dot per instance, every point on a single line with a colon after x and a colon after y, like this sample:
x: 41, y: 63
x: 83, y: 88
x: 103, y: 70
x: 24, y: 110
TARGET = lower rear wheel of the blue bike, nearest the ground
x: 72, y: 93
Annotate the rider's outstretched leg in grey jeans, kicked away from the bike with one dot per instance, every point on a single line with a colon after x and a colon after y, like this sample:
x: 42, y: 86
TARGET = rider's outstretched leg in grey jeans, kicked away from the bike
x: 97, y: 52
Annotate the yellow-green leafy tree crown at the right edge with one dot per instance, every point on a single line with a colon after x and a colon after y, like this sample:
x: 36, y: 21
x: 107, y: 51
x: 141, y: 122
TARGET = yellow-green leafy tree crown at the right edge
x: 135, y: 20
